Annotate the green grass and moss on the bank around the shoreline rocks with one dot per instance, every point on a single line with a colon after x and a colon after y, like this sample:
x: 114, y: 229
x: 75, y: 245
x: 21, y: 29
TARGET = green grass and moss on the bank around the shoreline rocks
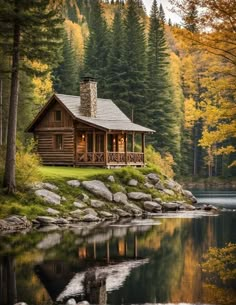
x: 24, y: 202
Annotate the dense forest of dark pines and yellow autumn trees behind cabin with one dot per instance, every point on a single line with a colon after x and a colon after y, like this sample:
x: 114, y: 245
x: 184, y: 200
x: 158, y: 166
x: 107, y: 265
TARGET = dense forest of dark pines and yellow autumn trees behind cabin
x: 176, y: 79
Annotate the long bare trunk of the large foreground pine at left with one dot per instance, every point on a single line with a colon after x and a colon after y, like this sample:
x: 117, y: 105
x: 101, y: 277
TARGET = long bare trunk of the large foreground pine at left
x: 9, y: 181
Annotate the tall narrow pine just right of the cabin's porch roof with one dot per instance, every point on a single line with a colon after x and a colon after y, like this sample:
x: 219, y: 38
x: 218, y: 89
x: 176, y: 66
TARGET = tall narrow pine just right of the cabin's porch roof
x: 161, y: 108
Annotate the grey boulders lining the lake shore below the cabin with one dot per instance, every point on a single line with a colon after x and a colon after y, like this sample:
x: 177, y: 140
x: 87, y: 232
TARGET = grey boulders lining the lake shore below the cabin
x: 96, y: 202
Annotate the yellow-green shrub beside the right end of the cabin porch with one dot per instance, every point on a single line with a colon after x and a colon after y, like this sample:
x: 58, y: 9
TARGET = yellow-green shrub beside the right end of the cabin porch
x: 164, y: 164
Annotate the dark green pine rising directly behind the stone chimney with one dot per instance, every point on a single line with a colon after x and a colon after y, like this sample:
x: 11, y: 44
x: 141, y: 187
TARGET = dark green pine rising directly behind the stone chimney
x: 96, y: 54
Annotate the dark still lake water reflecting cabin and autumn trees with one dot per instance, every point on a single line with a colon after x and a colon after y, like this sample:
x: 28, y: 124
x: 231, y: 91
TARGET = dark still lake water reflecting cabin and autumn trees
x: 149, y: 261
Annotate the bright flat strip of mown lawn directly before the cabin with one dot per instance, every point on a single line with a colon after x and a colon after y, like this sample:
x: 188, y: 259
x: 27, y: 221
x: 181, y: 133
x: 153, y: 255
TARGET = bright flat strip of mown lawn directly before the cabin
x: 60, y: 172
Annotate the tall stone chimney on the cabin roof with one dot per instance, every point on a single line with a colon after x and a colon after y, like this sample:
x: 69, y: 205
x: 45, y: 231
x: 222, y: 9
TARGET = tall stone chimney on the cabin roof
x: 88, y: 97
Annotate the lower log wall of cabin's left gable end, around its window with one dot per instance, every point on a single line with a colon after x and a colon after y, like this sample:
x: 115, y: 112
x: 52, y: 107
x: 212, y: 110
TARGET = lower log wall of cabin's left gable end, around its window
x: 47, y: 149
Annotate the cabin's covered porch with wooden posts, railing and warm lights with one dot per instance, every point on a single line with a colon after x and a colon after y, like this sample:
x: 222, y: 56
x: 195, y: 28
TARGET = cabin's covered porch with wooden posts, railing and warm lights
x: 113, y: 148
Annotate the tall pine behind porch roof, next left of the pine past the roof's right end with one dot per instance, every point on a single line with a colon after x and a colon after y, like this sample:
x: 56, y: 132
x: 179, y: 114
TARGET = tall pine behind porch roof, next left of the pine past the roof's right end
x: 135, y: 55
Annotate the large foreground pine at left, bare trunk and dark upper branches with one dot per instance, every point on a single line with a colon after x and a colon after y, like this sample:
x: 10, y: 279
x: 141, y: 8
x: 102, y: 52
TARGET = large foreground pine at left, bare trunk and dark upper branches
x: 30, y: 31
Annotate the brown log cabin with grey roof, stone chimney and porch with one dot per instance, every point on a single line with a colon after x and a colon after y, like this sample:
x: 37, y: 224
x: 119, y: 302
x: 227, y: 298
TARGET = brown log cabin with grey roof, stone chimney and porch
x: 87, y: 131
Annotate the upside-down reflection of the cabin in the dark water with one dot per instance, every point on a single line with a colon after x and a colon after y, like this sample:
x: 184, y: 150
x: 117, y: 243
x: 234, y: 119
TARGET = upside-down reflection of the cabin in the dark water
x: 101, y: 267
